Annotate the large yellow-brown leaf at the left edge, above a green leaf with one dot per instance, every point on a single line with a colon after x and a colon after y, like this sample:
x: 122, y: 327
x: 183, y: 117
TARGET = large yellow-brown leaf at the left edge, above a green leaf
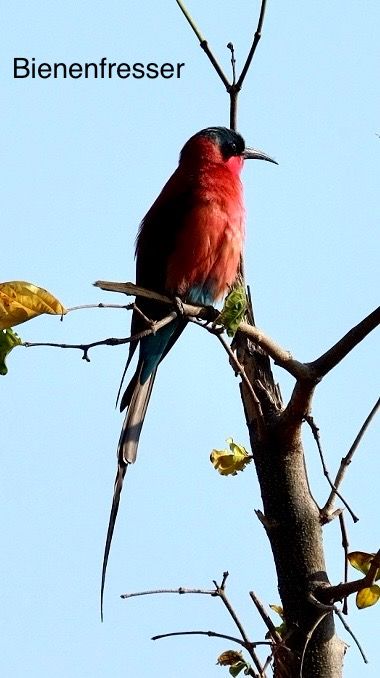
x: 21, y: 301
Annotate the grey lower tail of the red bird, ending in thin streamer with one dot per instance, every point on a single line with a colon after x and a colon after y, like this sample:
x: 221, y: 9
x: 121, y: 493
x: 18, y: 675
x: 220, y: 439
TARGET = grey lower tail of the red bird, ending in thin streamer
x: 136, y: 398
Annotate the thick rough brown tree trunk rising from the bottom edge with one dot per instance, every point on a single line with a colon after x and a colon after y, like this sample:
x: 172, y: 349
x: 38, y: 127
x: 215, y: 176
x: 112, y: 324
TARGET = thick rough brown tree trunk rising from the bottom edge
x: 292, y: 523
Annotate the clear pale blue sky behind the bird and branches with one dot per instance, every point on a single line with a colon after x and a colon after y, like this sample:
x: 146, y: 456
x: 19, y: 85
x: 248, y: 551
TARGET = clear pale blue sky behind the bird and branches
x: 82, y: 160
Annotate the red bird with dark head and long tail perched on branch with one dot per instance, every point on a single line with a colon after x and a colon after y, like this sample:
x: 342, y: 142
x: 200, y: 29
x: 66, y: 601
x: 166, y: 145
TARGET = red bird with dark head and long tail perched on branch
x: 188, y: 246
